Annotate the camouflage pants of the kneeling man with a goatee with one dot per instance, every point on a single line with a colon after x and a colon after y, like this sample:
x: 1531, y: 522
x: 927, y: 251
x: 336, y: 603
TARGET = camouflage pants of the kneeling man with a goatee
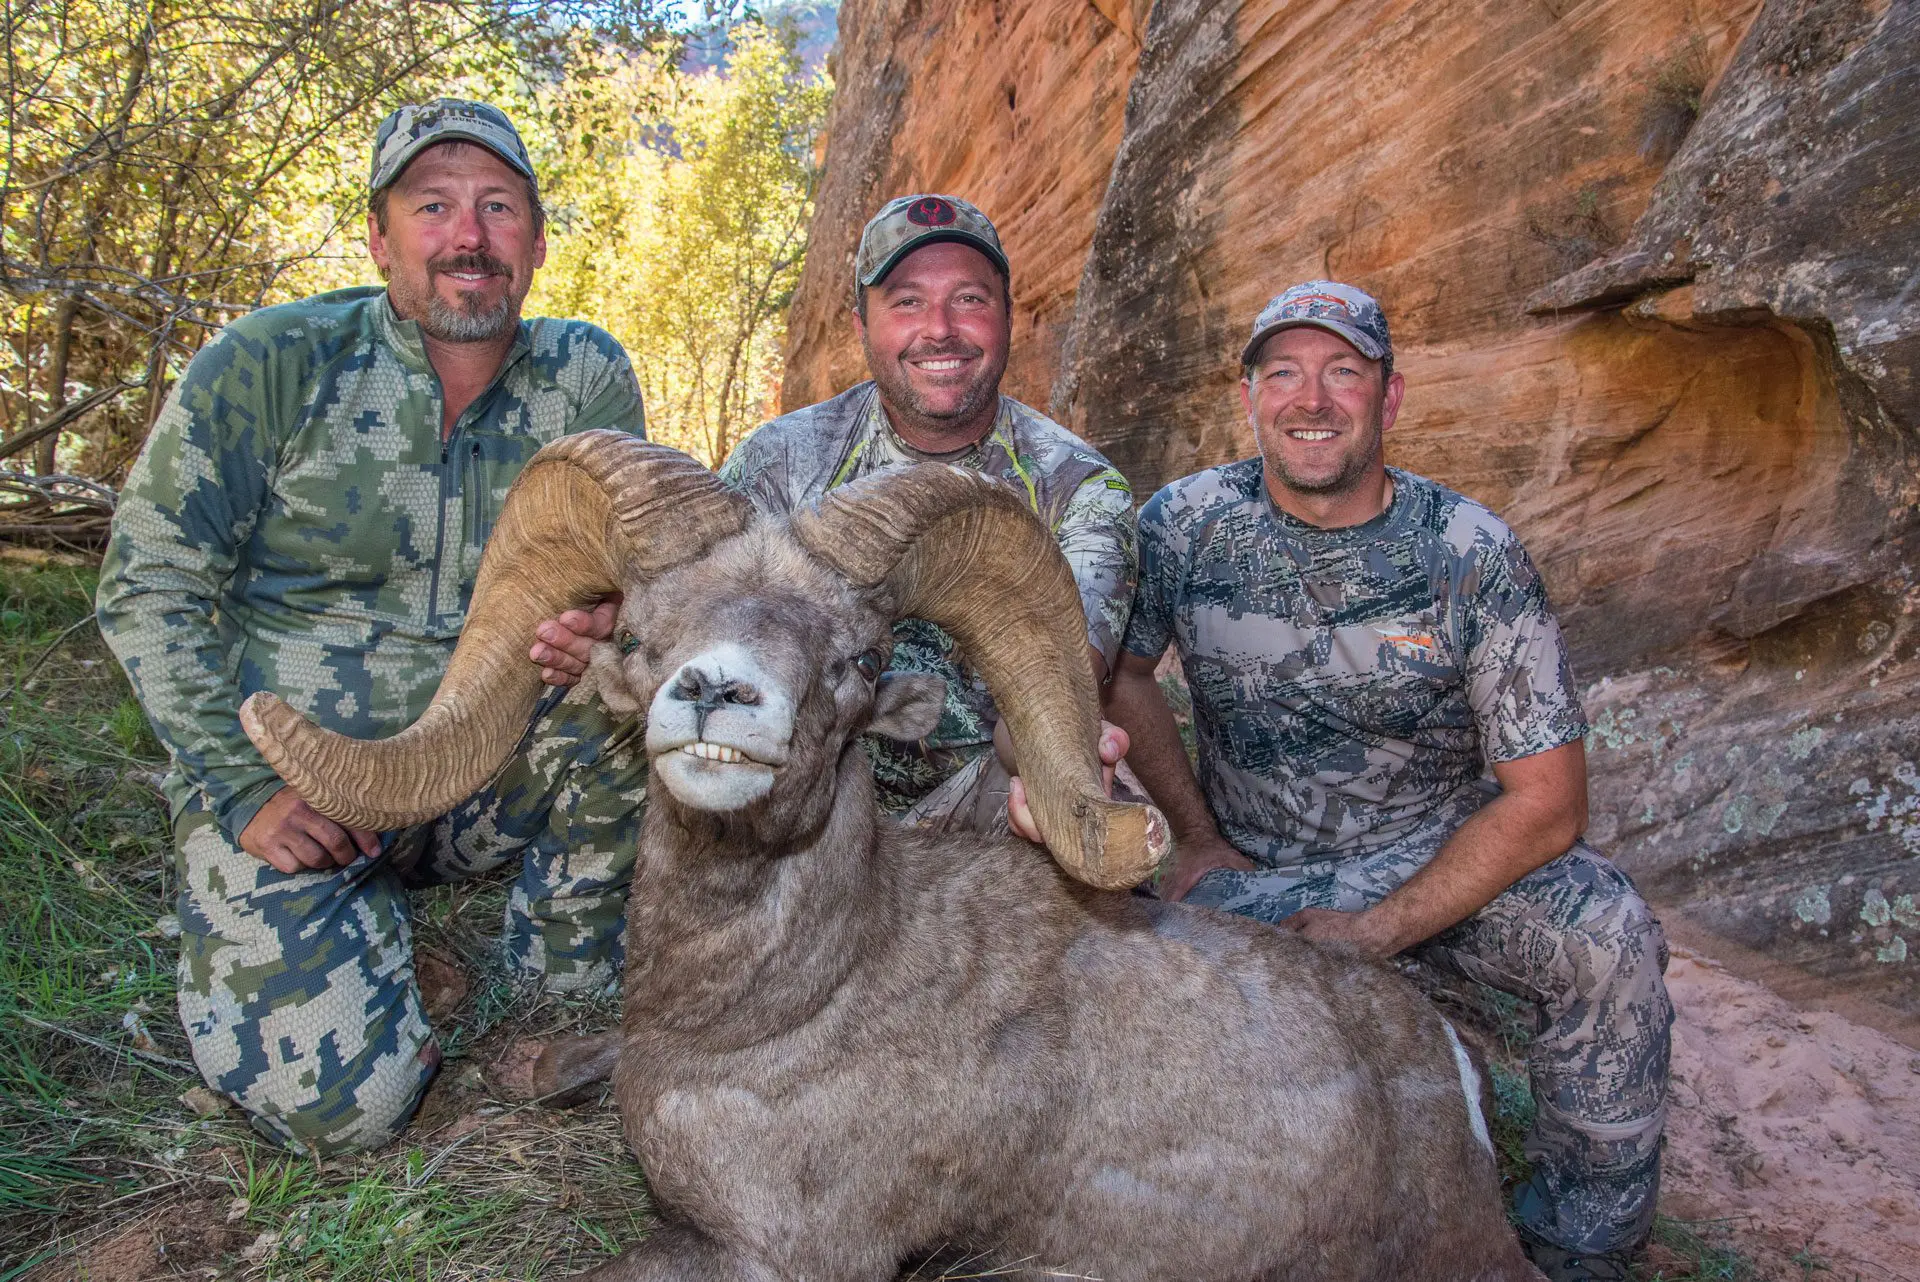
x: 299, y: 991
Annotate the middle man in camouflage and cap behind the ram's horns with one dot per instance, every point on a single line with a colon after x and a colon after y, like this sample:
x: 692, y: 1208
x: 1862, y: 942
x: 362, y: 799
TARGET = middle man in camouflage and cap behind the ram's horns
x: 934, y: 318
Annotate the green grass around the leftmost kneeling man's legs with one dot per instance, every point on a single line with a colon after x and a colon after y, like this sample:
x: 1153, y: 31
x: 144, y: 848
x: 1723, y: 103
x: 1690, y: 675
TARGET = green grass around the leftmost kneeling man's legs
x: 97, y: 1141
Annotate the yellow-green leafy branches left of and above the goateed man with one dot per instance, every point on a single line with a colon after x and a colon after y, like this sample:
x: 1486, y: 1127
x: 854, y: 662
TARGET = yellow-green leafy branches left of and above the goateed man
x: 170, y: 166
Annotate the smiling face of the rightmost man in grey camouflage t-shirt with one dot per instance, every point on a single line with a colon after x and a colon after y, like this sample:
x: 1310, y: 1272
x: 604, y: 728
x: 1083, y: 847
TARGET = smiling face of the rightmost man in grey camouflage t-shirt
x: 1320, y: 410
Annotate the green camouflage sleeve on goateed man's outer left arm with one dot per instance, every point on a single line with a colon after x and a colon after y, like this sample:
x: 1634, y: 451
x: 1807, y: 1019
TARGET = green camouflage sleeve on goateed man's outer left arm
x: 189, y: 506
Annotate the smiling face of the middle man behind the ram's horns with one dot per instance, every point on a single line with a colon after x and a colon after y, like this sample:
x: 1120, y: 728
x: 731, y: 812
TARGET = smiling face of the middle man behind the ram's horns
x: 936, y: 337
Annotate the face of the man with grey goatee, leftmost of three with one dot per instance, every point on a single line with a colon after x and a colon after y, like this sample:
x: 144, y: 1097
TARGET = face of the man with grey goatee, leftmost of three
x: 462, y: 243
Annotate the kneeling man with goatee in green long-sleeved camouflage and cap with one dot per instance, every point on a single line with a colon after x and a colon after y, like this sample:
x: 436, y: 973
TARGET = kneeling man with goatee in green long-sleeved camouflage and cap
x: 308, y: 517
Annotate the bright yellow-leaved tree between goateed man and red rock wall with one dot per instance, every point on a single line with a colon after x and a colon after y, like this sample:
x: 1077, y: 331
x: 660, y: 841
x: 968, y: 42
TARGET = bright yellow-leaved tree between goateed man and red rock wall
x: 681, y: 218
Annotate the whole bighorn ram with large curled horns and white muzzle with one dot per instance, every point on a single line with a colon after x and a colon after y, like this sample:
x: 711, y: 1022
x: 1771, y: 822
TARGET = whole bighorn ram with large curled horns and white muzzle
x: 848, y: 1043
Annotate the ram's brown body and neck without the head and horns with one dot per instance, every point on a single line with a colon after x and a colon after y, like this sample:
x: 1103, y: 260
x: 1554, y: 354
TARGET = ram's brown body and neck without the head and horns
x: 921, y: 1043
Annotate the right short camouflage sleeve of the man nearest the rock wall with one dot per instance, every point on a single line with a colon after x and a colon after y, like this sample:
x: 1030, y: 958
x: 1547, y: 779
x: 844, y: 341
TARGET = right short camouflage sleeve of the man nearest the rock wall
x: 1520, y: 680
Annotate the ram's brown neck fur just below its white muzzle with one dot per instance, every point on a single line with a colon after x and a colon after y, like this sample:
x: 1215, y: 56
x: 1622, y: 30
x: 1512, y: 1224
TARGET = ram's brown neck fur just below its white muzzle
x: 738, y: 939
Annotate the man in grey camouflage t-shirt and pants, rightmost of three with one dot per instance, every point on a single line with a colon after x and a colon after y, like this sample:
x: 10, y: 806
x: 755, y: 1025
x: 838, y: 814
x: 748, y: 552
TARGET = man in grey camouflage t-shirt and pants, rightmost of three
x: 1391, y: 751
